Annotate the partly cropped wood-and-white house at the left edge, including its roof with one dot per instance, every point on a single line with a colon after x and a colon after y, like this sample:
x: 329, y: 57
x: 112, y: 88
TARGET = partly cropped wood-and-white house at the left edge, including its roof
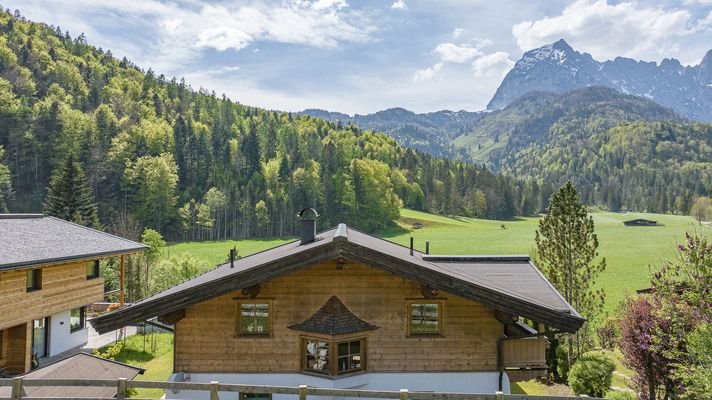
x: 49, y: 274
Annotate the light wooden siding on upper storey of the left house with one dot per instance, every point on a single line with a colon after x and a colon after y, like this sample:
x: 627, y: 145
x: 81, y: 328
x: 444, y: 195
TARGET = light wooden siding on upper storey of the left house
x: 64, y: 287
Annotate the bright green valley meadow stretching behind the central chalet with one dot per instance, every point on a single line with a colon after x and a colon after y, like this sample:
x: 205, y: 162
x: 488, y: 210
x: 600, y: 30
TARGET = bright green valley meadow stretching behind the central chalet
x: 630, y: 252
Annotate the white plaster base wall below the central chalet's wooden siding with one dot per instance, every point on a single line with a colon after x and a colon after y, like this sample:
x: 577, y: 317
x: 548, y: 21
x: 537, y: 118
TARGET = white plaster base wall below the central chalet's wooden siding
x: 463, y: 382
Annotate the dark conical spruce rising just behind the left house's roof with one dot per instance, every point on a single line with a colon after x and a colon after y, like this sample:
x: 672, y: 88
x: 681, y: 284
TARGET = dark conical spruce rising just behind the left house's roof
x: 69, y: 196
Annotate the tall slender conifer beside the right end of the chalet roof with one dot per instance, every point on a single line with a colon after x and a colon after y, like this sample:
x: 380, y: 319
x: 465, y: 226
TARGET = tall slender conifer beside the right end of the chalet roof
x: 566, y: 248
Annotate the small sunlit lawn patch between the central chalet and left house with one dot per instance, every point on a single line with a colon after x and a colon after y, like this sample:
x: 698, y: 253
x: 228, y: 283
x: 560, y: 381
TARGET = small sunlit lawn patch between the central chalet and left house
x: 152, y: 352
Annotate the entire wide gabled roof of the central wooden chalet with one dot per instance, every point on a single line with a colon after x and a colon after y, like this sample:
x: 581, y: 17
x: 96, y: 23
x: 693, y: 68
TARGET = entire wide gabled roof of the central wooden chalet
x: 509, y: 284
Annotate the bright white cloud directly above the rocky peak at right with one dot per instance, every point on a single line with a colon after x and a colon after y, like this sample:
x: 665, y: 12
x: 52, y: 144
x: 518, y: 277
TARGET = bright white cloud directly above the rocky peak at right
x: 609, y: 30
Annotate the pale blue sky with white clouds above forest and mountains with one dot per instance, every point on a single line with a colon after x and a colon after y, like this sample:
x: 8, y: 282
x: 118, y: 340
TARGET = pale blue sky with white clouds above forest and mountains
x: 364, y: 56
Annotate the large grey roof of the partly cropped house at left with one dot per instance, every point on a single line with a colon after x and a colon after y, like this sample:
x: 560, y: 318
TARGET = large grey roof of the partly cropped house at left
x: 36, y: 240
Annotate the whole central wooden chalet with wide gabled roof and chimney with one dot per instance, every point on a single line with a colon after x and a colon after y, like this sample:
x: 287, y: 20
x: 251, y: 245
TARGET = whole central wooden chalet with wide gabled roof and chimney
x: 344, y: 309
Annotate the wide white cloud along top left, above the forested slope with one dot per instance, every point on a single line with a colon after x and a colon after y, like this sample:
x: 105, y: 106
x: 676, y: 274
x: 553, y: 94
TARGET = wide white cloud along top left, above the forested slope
x: 183, y: 30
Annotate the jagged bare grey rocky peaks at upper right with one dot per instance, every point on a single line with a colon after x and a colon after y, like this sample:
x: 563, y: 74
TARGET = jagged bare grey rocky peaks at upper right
x: 559, y: 68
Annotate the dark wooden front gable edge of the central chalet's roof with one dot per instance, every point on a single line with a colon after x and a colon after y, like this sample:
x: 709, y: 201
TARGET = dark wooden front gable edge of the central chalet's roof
x: 339, y: 247
